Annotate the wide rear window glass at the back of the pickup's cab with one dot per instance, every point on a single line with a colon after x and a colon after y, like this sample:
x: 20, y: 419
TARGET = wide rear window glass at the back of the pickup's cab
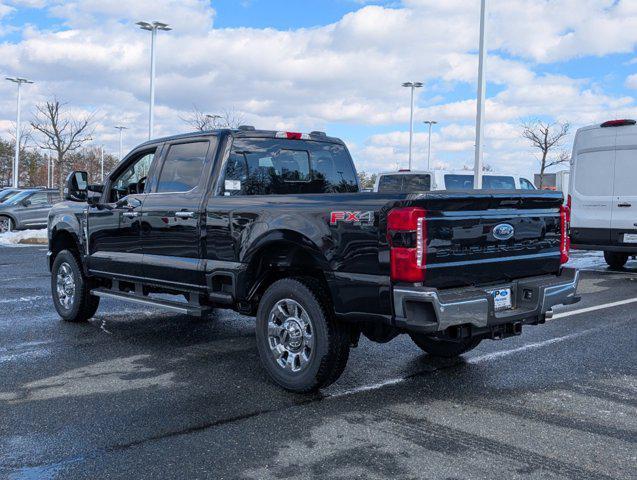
x: 267, y: 166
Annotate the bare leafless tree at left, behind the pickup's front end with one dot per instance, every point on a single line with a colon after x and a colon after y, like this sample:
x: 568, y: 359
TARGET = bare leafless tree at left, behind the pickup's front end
x: 62, y: 133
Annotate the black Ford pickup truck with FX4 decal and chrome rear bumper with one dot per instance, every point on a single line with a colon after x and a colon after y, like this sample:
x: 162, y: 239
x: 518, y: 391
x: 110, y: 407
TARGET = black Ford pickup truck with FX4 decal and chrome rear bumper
x: 272, y: 225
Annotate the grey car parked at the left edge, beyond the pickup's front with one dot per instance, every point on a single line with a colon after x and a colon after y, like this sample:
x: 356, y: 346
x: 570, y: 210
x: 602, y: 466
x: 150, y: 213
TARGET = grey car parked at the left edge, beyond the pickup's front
x: 27, y: 208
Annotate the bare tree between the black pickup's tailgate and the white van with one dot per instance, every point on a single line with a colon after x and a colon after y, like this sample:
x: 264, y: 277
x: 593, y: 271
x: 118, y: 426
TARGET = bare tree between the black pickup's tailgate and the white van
x: 547, y: 137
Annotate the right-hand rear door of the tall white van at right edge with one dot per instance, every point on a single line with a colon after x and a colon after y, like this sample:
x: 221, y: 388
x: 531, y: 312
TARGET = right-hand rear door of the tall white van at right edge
x: 624, y: 219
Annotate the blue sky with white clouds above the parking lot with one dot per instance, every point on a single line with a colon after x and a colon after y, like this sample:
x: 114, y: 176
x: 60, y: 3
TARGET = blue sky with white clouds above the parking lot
x: 331, y: 65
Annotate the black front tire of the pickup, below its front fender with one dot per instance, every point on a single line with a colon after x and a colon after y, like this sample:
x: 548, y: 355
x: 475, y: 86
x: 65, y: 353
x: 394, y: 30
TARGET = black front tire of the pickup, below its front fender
x: 83, y: 305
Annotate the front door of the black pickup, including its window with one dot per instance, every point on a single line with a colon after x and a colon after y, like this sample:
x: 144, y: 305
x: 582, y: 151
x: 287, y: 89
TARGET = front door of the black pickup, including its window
x: 114, y: 224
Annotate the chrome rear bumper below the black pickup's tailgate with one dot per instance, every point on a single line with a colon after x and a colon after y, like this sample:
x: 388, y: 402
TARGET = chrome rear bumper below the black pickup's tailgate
x: 428, y: 310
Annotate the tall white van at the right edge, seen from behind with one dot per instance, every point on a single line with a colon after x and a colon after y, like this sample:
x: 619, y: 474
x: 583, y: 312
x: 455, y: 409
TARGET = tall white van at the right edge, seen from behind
x: 603, y: 190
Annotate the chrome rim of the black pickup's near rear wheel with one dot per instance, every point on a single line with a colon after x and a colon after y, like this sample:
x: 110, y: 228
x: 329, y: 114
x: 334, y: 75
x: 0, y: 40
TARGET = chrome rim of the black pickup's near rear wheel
x: 290, y: 335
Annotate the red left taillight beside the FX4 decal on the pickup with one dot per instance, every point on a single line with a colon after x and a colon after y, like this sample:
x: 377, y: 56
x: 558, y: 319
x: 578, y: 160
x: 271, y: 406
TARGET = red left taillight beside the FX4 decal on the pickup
x: 407, y: 235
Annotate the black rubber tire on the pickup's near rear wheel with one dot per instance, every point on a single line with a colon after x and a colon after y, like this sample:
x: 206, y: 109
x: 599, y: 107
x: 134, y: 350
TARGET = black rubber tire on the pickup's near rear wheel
x: 331, y: 340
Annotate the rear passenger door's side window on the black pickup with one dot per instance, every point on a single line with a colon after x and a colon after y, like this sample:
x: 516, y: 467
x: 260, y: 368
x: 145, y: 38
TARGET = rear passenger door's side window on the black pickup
x: 183, y: 167
